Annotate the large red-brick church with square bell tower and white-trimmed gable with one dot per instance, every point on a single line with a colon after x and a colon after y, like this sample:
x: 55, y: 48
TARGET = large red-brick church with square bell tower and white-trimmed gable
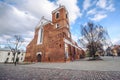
x: 52, y: 40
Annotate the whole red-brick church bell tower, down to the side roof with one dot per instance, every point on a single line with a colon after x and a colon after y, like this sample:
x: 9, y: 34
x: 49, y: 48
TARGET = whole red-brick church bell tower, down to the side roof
x: 61, y: 20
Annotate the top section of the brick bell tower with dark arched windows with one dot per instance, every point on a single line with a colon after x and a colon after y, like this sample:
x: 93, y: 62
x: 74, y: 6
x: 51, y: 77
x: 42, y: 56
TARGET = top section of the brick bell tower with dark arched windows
x: 60, y: 17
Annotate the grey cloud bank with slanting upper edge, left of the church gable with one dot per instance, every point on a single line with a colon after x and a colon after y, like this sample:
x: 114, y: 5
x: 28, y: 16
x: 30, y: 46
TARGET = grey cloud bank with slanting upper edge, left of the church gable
x: 11, y: 21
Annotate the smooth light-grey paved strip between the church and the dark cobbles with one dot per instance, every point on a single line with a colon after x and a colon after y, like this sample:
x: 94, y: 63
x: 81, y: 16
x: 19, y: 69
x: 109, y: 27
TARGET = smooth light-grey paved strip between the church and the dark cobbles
x: 107, y: 64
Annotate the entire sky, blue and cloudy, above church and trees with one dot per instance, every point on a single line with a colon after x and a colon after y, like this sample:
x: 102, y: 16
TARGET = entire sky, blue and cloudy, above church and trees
x: 21, y: 16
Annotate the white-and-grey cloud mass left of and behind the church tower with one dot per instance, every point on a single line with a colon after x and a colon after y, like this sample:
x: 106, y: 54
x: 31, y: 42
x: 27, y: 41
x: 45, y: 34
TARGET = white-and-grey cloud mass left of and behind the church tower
x: 22, y: 16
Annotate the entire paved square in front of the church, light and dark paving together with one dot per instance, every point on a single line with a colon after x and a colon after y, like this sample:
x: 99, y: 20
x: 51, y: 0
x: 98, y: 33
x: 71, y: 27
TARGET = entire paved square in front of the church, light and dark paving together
x: 108, y: 69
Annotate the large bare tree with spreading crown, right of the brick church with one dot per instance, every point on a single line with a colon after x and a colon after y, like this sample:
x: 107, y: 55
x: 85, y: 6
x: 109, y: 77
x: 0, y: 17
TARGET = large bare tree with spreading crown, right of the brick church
x: 94, y: 37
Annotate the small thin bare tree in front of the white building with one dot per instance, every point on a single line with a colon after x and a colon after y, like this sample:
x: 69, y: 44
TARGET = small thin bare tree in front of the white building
x: 14, y: 44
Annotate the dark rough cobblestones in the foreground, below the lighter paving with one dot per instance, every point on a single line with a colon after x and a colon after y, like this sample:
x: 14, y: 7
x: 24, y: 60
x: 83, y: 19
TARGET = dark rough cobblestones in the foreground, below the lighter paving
x: 11, y: 72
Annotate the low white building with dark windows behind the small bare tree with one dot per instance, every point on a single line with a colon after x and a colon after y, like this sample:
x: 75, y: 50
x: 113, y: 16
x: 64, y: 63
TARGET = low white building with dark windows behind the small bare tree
x: 7, y: 56
